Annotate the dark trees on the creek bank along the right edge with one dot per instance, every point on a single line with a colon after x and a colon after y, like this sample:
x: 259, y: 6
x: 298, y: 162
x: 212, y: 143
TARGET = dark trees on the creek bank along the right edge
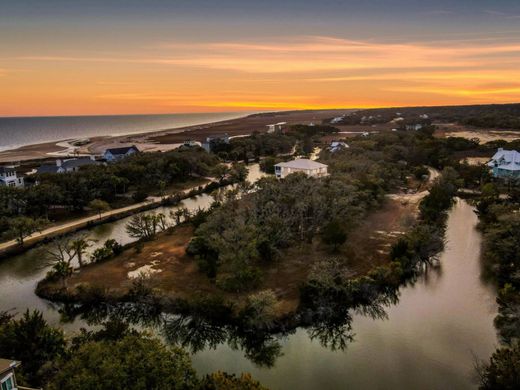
x: 497, y: 207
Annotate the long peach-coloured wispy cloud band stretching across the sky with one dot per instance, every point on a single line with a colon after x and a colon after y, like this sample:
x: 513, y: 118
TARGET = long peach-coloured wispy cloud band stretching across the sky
x: 309, y: 54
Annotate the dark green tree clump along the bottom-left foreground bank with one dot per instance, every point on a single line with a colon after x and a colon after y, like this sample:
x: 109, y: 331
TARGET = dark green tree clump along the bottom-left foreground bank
x: 113, y: 357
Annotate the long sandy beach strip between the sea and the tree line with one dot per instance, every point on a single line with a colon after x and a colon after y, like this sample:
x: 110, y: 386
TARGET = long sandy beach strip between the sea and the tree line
x: 165, y: 140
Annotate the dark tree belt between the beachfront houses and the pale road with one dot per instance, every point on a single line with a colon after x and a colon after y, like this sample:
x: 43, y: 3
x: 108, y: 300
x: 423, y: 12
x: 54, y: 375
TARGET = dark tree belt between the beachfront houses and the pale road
x: 98, y: 188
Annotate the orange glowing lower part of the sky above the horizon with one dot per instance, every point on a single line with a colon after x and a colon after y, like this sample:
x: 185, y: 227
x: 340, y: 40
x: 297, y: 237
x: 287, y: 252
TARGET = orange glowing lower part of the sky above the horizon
x: 297, y: 73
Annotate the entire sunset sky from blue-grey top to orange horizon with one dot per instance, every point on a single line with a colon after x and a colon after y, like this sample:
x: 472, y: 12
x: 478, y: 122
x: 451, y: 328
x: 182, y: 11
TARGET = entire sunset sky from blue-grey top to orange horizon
x: 61, y: 57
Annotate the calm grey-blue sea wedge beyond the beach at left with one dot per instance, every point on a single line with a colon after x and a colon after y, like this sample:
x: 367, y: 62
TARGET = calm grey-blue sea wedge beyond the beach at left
x: 16, y: 132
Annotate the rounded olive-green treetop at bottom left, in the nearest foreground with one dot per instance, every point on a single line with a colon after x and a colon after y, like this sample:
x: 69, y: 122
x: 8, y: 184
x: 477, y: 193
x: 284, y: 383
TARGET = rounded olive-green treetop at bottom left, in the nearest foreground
x: 133, y: 362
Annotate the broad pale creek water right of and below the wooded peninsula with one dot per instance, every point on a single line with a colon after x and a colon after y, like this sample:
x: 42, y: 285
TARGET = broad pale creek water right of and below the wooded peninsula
x: 429, y: 340
